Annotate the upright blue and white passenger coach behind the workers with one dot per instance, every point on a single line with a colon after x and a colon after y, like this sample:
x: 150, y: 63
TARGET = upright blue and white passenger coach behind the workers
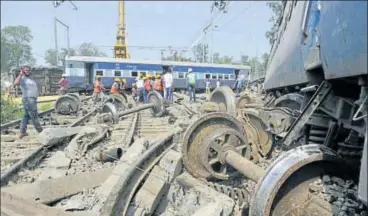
x: 81, y: 71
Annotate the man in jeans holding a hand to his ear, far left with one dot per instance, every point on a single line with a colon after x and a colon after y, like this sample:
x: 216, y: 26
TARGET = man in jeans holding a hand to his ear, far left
x: 29, y: 99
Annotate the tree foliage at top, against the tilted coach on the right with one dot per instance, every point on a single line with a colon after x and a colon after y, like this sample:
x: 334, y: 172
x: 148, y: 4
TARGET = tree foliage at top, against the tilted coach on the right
x: 277, y: 9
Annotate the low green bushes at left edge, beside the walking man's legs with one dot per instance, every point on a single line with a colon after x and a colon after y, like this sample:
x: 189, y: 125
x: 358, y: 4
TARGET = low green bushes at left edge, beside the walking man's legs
x: 9, y: 110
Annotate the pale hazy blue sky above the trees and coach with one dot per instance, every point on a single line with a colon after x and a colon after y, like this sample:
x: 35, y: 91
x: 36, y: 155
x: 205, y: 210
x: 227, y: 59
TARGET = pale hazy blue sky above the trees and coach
x: 151, y: 26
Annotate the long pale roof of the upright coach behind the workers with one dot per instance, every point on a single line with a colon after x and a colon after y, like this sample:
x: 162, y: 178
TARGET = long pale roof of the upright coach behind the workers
x: 135, y: 61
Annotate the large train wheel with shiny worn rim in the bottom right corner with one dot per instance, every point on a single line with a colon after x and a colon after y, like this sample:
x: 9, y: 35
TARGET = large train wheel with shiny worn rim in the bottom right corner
x: 286, y: 188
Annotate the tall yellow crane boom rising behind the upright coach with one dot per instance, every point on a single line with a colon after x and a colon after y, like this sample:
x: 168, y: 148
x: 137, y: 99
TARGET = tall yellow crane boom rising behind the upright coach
x: 120, y: 48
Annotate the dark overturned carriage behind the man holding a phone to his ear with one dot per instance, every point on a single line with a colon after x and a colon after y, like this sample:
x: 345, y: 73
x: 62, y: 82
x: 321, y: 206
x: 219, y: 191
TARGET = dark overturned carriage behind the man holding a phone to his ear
x: 47, y: 79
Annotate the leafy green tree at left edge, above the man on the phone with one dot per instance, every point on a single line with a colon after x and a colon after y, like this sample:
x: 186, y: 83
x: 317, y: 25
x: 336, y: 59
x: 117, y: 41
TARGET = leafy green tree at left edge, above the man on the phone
x: 15, y: 47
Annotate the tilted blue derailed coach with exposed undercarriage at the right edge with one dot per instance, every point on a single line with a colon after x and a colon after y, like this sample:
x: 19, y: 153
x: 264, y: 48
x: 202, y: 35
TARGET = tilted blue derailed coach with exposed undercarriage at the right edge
x: 318, y: 67
